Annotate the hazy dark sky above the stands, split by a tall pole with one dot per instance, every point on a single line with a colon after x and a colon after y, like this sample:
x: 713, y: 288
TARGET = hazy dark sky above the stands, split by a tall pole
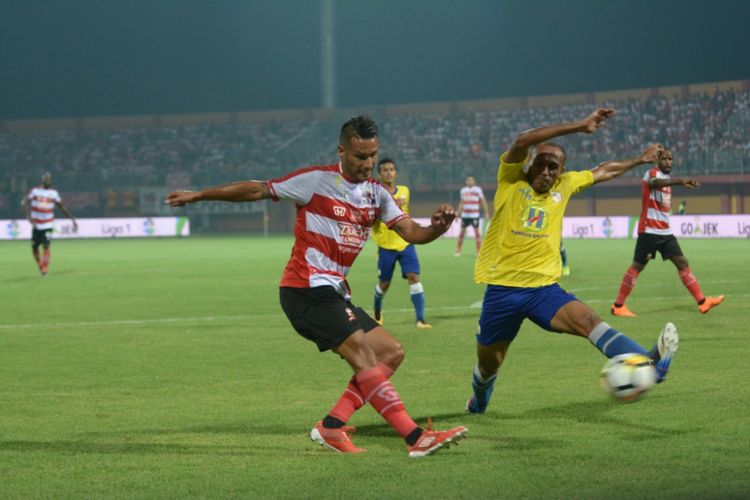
x: 105, y: 57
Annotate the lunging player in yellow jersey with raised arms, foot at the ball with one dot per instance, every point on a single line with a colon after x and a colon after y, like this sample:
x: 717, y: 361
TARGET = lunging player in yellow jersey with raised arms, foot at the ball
x: 520, y: 258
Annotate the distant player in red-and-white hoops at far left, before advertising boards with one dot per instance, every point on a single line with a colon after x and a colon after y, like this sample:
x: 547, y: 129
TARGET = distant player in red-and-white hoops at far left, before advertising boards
x: 40, y: 205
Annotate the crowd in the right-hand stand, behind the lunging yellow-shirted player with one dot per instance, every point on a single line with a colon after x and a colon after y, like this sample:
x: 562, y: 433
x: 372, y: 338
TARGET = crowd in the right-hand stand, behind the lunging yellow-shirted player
x: 691, y: 126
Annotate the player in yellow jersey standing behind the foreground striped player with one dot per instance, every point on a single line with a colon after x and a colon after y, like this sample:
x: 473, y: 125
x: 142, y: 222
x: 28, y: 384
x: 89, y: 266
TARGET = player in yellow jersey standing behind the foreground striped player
x: 393, y: 248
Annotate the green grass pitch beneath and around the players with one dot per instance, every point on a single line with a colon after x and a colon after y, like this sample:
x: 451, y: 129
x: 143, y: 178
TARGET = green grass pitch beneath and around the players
x: 166, y: 369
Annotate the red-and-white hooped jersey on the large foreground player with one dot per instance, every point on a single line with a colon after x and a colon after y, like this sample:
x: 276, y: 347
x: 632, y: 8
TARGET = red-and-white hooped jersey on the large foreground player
x: 334, y: 217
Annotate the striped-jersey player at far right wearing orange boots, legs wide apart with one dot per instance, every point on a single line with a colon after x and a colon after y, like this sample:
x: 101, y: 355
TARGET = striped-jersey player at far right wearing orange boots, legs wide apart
x: 655, y: 235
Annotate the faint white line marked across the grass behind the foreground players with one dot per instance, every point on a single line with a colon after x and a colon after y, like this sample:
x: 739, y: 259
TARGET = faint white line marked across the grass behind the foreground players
x: 139, y: 322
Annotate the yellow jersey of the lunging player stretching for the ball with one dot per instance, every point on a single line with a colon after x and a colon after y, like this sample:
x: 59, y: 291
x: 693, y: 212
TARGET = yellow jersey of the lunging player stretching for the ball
x: 522, y: 246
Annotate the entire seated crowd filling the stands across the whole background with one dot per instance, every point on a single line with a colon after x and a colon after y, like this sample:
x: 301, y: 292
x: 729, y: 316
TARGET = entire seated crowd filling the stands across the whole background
x: 708, y: 133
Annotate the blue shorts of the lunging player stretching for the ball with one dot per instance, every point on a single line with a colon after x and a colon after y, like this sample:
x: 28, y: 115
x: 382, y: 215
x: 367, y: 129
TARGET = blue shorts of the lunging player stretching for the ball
x: 505, y: 307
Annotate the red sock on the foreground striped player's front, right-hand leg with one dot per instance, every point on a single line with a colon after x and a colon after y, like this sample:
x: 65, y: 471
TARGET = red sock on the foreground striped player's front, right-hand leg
x: 379, y: 392
